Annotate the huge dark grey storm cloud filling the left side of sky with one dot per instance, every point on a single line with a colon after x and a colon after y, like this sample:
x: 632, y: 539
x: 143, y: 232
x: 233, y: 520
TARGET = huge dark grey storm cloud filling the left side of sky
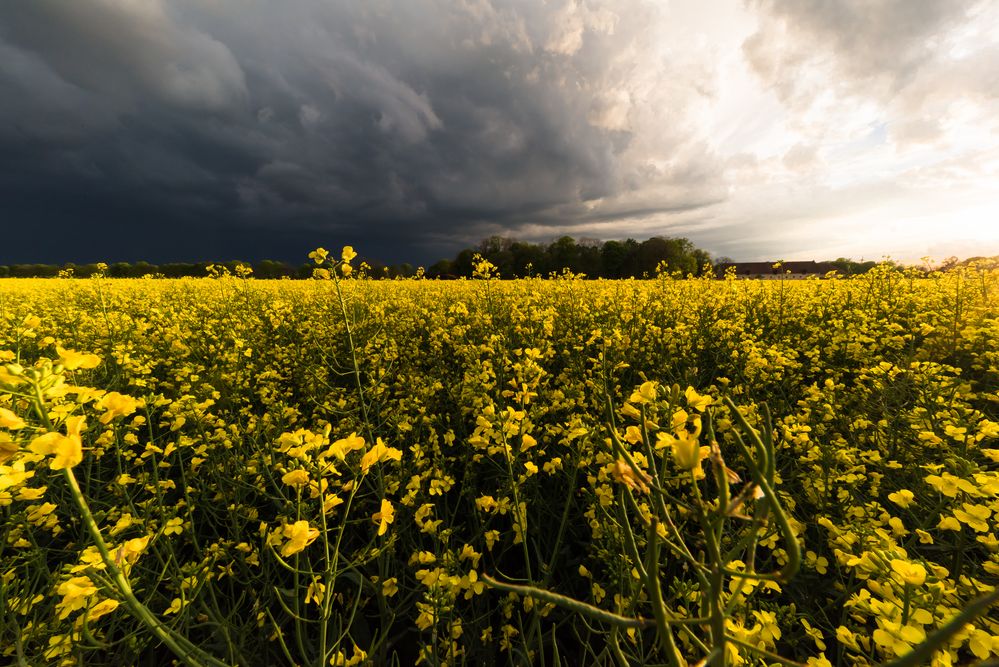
x: 202, y: 129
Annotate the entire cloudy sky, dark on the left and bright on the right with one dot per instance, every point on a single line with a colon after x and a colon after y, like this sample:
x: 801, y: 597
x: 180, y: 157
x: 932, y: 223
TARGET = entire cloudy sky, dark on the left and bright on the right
x: 188, y: 130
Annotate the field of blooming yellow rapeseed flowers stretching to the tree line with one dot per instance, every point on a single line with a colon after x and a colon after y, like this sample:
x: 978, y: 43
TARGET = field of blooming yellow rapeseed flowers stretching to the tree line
x: 345, y: 471
